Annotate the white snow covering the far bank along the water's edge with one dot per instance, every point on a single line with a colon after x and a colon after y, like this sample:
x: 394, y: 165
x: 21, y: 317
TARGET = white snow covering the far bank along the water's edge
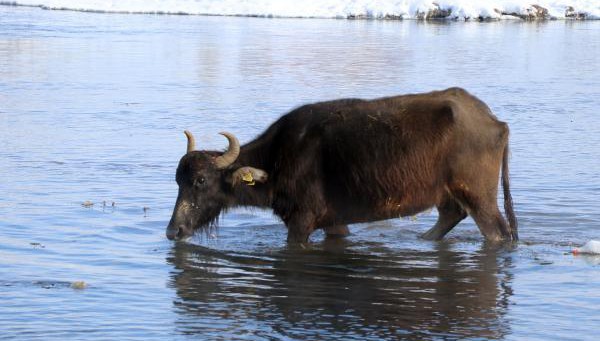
x: 406, y: 9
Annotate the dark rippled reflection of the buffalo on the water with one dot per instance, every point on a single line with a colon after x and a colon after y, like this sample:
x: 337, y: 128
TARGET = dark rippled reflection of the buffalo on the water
x: 333, y: 290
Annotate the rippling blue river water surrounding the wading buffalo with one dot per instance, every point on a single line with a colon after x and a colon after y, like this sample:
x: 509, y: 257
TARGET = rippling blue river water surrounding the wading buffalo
x: 93, y: 106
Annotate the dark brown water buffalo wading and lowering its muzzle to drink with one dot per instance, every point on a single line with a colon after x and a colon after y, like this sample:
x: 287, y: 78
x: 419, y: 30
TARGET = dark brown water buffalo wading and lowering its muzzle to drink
x: 329, y: 164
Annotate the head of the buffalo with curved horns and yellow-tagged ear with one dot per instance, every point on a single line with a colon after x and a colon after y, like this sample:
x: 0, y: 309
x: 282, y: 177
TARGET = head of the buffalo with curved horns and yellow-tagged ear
x: 206, y: 181
